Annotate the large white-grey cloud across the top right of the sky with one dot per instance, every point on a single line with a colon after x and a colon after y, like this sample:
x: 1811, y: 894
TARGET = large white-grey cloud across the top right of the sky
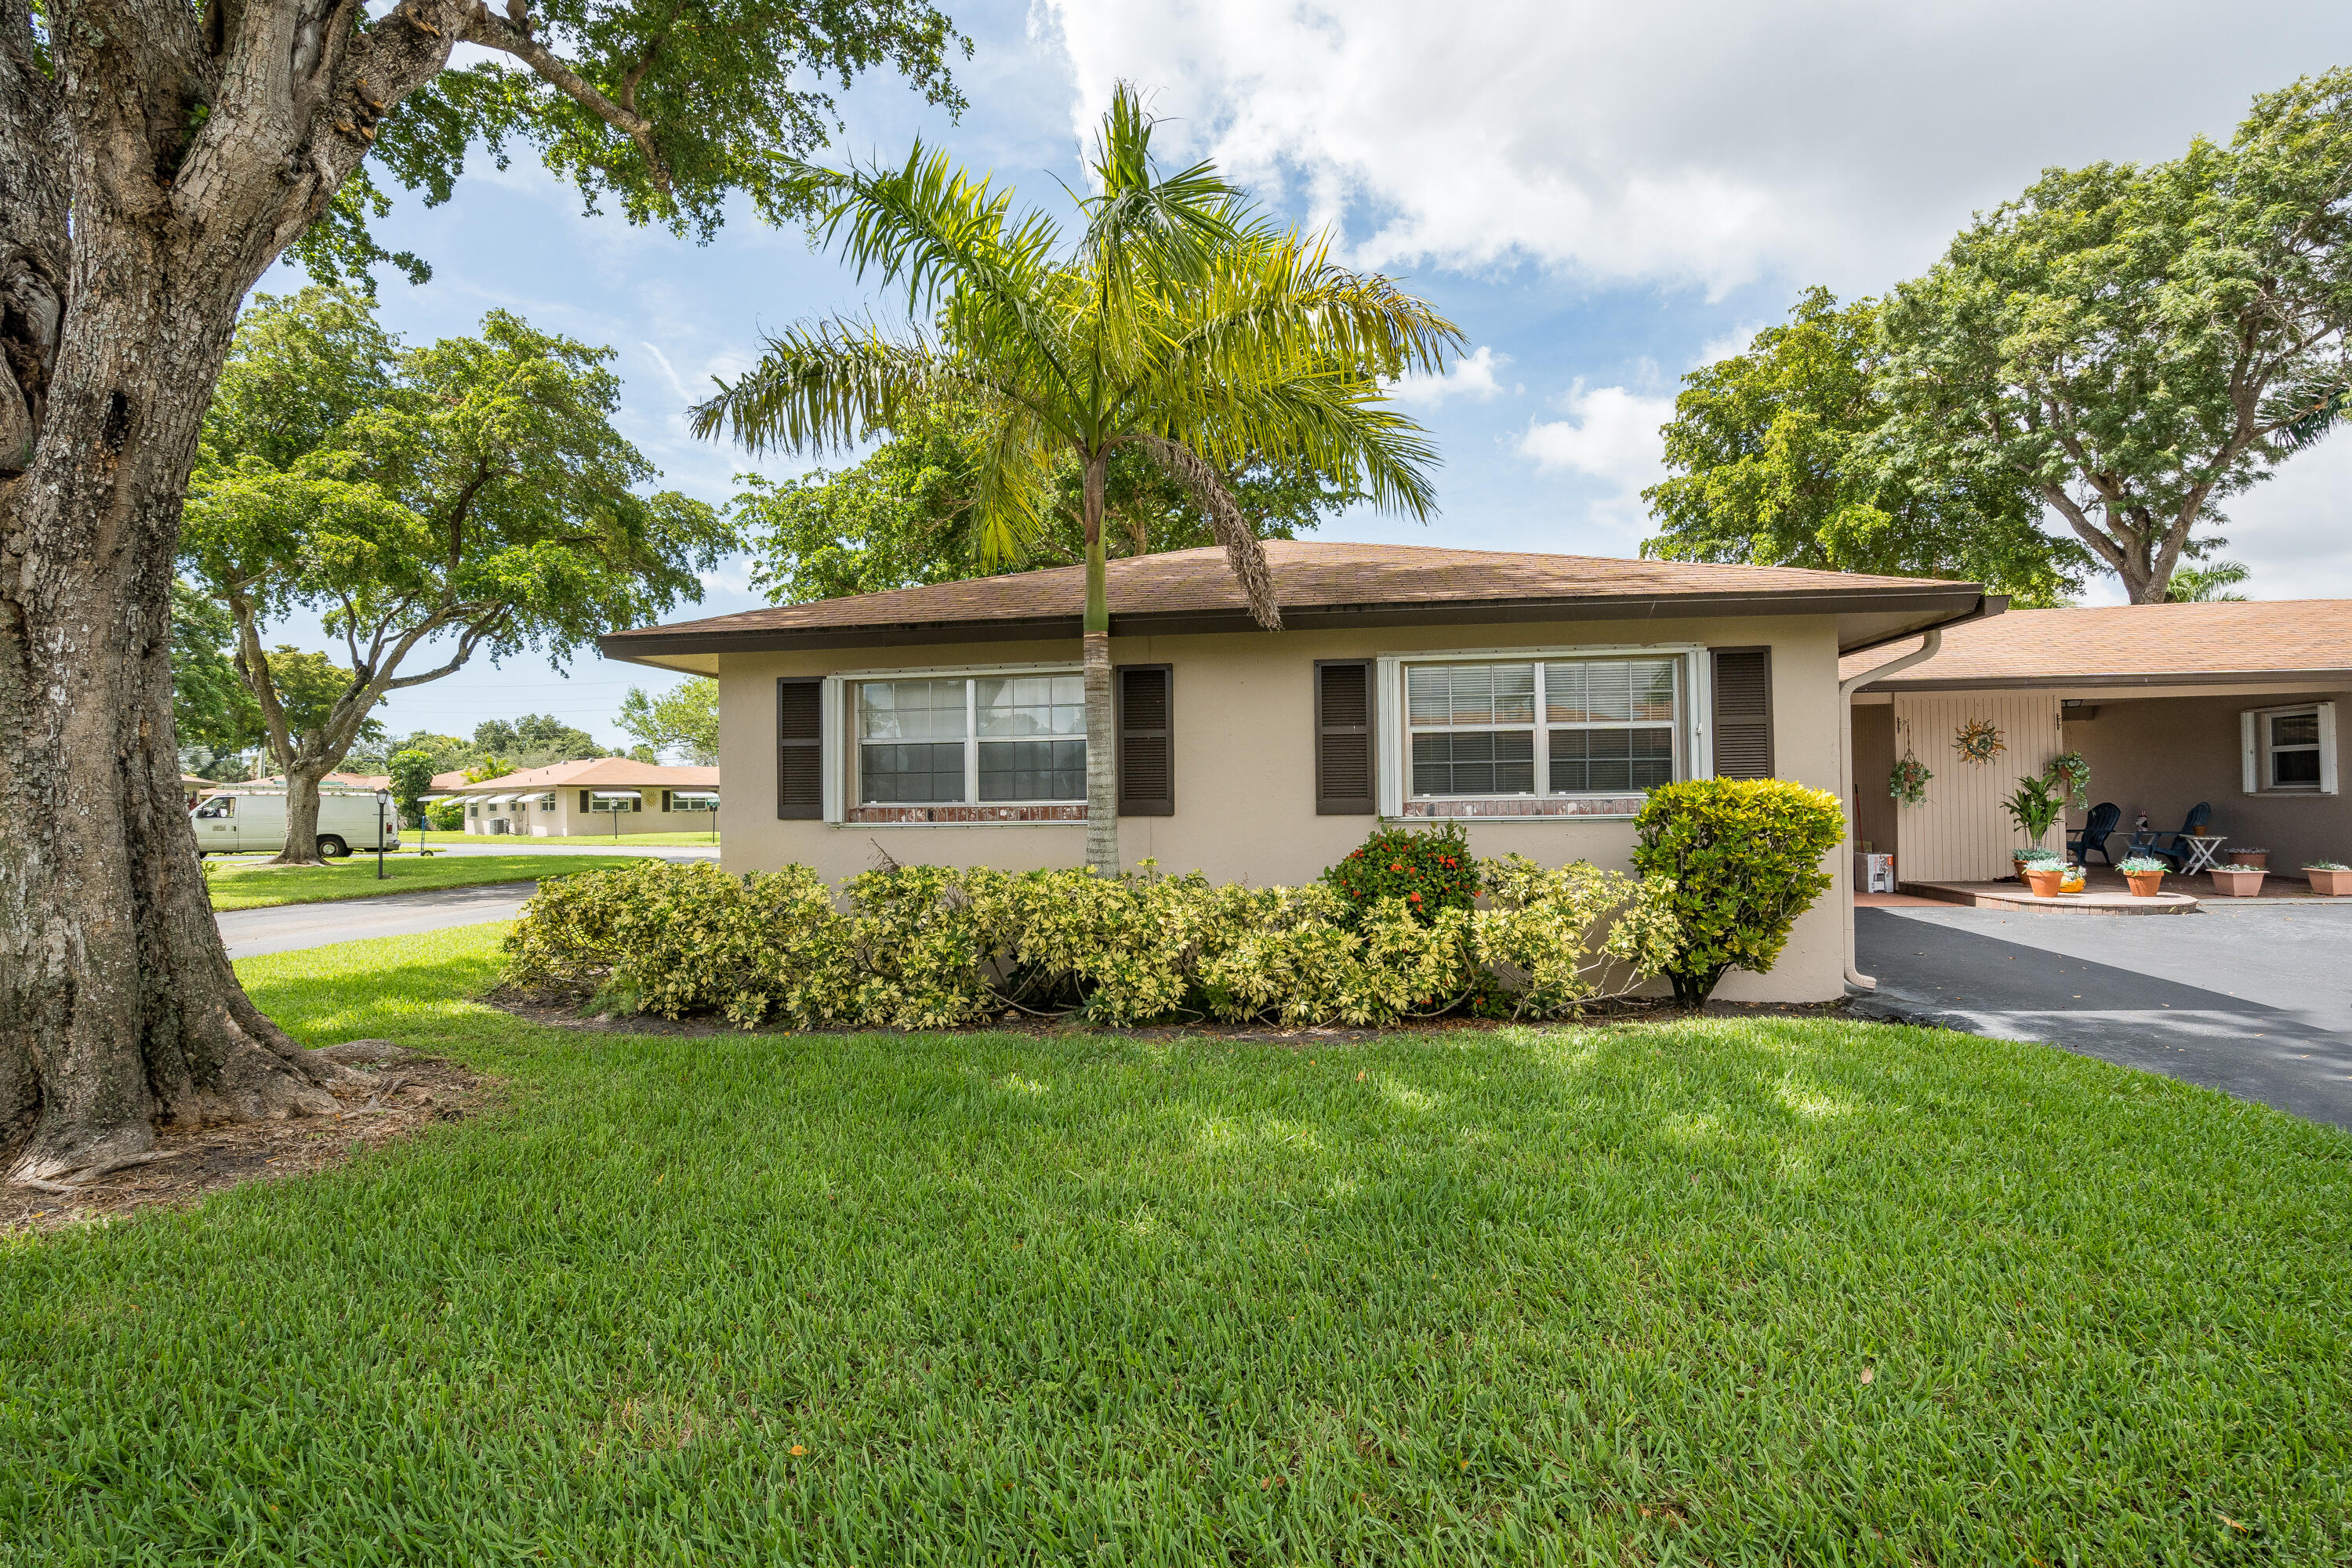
x: 1699, y: 142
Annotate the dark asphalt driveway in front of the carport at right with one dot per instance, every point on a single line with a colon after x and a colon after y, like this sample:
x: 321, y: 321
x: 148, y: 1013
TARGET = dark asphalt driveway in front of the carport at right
x: 2252, y: 1003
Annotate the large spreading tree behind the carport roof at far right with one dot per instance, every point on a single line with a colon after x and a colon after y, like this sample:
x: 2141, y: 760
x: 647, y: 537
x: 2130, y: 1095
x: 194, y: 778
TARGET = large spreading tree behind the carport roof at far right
x: 2139, y: 344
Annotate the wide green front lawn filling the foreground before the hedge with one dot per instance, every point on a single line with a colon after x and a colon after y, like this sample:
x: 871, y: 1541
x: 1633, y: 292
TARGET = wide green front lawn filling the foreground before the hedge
x: 1728, y: 1292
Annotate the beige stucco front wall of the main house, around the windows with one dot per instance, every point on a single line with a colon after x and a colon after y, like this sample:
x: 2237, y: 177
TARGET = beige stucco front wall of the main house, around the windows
x: 1245, y: 765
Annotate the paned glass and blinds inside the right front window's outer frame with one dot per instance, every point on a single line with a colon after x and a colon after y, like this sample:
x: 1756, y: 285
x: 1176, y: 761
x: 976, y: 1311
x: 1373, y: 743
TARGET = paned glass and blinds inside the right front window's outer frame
x: 1499, y: 730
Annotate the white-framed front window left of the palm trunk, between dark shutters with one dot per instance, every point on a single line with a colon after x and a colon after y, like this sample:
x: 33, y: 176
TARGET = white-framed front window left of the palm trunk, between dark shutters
x: 1015, y: 739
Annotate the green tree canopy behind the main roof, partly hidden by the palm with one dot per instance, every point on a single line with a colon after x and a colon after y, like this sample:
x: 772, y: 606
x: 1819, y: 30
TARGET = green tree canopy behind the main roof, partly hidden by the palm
x: 907, y: 514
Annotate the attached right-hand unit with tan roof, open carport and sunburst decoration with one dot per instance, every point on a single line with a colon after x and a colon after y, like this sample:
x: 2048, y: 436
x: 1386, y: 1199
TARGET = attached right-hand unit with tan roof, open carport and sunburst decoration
x: 2172, y: 704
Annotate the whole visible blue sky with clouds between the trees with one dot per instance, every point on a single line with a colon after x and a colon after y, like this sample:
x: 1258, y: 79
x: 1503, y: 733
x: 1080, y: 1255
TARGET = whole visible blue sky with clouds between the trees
x: 1601, y: 196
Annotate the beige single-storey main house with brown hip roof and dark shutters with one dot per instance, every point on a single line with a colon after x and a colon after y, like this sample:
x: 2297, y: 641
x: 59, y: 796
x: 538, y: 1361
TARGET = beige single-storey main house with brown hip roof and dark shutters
x: 1535, y: 697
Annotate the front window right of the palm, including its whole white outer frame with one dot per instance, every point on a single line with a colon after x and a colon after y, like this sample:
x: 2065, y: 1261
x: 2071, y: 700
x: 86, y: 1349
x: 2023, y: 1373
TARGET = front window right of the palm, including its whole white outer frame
x: 1539, y: 732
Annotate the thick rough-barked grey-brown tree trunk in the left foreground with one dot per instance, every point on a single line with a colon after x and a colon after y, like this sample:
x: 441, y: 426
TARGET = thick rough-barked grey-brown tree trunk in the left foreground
x: 119, y: 1007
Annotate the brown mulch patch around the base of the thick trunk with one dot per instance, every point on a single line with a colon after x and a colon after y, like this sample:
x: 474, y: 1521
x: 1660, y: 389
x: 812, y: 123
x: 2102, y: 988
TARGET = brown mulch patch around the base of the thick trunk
x: 406, y: 1094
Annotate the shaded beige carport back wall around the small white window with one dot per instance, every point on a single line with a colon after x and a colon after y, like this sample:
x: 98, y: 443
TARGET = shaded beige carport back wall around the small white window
x: 2160, y: 756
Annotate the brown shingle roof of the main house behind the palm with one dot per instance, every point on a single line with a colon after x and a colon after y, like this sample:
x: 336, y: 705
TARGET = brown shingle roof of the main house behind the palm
x: 1316, y: 584
